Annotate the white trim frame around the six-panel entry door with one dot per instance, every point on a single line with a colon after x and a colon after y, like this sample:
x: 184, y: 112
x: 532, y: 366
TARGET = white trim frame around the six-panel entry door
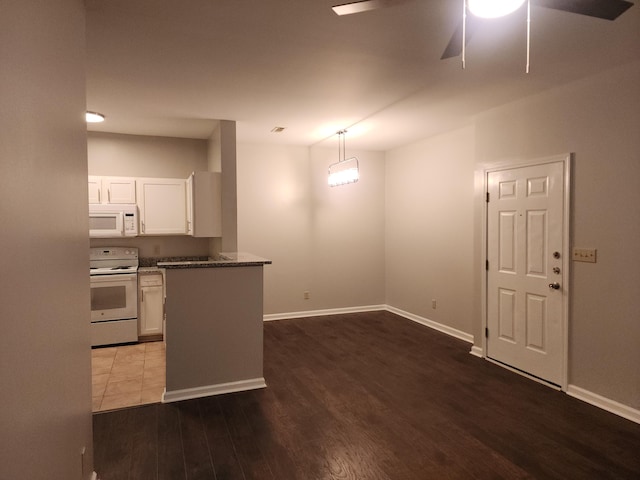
x: 566, y: 160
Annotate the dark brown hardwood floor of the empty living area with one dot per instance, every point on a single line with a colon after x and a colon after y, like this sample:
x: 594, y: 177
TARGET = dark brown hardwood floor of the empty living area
x: 370, y: 396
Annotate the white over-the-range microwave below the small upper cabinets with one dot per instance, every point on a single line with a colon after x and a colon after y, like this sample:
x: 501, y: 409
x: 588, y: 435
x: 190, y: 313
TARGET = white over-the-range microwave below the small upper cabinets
x: 107, y: 221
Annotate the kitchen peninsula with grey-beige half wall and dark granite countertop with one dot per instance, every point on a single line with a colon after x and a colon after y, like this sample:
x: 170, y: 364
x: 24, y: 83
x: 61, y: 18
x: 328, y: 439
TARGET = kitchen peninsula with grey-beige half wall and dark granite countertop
x: 214, y: 330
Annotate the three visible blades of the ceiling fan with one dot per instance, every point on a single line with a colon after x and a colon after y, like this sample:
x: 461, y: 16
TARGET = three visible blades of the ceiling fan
x: 605, y: 9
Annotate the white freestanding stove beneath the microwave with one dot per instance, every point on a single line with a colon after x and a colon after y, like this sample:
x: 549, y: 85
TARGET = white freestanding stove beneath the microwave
x: 114, y: 295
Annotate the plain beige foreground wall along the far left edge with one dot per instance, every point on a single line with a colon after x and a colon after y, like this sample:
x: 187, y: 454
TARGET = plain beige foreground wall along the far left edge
x: 45, y: 361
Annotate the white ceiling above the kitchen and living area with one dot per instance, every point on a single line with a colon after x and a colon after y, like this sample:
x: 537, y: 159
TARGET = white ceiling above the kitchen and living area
x: 172, y: 67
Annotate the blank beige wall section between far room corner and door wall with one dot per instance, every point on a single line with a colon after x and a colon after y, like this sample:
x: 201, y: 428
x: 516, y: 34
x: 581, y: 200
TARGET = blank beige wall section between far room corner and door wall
x: 429, y: 228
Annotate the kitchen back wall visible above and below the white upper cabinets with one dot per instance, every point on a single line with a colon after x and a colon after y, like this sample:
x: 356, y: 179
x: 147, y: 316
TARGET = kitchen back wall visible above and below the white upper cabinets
x: 112, y: 154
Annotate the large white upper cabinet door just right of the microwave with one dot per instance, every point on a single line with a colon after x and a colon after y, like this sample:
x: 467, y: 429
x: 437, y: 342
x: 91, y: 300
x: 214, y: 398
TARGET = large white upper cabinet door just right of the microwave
x: 163, y: 206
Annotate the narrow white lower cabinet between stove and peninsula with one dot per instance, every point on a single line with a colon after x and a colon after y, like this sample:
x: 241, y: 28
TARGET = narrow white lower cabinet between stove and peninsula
x: 151, y: 304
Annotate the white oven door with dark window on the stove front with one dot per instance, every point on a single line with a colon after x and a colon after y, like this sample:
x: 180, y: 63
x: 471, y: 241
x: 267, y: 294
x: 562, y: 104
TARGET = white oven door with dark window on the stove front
x: 114, y: 297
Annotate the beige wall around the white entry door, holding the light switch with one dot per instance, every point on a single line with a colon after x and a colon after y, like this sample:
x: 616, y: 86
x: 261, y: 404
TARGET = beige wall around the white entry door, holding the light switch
x: 599, y: 120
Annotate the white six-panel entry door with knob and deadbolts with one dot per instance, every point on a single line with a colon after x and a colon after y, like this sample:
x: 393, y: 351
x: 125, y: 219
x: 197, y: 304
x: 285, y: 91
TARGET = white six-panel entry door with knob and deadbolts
x: 525, y: 291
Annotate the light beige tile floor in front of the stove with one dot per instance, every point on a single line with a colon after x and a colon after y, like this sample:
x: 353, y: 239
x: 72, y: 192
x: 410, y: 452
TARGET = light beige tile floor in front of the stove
x: 127, y: 375
